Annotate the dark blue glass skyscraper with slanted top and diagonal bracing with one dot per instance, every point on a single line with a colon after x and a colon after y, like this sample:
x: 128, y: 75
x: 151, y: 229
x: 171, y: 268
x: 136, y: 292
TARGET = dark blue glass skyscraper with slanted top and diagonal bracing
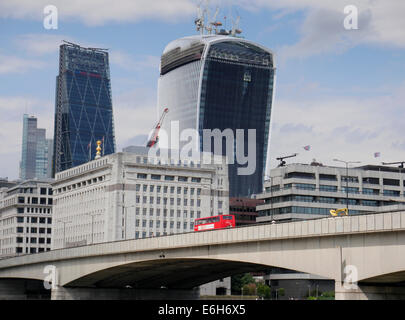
x: 83, y: 106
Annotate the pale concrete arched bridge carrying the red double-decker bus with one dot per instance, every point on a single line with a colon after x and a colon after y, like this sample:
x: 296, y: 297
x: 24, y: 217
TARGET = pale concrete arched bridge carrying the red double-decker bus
x: 366, y: 248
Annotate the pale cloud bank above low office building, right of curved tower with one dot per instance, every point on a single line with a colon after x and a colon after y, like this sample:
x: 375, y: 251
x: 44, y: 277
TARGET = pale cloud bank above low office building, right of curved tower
x: 339, y: 127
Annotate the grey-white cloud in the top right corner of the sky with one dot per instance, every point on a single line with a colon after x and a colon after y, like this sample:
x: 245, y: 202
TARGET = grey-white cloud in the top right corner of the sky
x: 380, y: 22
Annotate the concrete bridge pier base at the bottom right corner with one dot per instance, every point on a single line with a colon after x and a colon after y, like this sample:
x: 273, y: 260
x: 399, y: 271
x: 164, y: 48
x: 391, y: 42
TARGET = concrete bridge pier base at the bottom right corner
x: 369, y: 292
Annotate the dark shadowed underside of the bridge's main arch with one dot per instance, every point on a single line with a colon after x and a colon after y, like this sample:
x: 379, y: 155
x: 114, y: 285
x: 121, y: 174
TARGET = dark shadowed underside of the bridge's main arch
x: 166, y: 273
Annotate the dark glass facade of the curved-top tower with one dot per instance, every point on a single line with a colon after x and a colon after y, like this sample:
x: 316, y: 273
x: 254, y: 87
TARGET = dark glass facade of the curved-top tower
x: 236, y: 93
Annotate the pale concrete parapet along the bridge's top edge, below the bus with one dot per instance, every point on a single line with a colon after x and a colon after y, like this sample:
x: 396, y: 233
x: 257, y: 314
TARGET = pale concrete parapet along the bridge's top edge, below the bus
x: 382, y: 222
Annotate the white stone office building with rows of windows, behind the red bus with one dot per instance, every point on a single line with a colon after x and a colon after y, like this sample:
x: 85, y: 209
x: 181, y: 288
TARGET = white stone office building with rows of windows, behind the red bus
x: 129, y: 196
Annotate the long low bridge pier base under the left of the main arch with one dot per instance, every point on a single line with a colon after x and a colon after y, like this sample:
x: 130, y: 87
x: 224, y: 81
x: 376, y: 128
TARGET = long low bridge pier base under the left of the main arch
x: 69, y: 293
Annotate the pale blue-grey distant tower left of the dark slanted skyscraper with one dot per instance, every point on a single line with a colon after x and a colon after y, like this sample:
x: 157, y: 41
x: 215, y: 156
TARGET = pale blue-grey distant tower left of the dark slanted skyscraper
x: 35, y: 153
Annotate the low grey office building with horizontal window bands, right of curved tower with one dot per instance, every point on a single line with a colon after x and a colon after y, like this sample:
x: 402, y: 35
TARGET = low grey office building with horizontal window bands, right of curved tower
x: 301, y: 191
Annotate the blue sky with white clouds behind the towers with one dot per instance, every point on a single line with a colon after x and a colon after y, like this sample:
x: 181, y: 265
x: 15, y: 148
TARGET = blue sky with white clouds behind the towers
x: 340, y: 91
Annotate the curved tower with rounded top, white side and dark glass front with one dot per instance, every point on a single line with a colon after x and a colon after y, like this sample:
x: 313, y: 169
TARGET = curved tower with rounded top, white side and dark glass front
x: 220, y: 82
